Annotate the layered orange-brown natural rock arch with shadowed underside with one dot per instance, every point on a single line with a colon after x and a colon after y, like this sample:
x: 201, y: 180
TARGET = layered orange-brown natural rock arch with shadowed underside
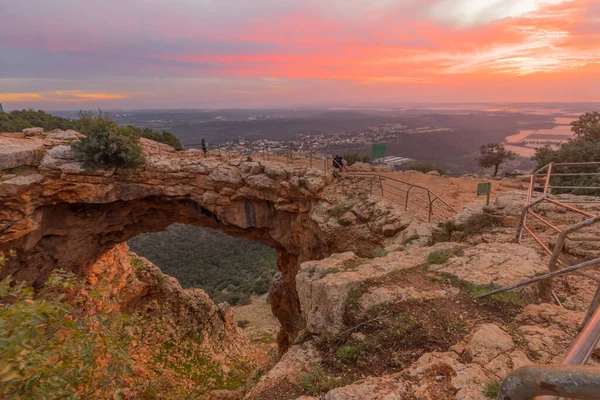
x: 59, y: 216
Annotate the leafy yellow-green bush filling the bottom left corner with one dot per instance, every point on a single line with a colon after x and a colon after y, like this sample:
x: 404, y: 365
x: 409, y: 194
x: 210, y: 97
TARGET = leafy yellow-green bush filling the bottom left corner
x: 51, y: 342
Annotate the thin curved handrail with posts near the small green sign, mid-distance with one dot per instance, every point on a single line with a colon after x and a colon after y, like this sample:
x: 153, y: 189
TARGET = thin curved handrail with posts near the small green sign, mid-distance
x: 428, y: 204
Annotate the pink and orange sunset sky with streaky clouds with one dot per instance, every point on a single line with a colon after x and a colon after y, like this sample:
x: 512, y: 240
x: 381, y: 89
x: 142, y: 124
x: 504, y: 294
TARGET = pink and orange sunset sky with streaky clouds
x: 71, y: 54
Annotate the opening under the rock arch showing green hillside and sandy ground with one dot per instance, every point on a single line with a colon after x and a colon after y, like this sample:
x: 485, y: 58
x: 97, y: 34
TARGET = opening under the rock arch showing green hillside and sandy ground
x: 229, y: 269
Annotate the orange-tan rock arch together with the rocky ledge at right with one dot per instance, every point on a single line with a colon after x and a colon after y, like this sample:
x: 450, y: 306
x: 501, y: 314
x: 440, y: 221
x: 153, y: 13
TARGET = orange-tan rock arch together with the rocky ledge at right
x: 373, y: 302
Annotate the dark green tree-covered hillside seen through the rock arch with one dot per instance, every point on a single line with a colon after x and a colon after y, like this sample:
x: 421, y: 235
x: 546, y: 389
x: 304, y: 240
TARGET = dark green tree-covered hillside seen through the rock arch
x: 227, y: 268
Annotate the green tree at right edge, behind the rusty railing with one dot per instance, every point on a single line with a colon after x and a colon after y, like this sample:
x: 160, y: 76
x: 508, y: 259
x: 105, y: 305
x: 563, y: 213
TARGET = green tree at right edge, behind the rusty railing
x: 585, y: 147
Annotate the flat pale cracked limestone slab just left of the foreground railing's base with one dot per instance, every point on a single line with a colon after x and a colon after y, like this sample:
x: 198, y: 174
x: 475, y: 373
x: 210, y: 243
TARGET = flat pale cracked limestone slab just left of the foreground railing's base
x: 500, y: 264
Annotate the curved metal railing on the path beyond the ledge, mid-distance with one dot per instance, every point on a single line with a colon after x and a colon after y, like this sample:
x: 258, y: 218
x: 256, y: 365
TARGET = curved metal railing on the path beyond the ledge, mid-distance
x: 412, y: 197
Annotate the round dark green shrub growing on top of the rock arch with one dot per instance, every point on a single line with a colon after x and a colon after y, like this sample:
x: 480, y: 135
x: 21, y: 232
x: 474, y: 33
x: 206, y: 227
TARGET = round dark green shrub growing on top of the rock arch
x: 107, y: 145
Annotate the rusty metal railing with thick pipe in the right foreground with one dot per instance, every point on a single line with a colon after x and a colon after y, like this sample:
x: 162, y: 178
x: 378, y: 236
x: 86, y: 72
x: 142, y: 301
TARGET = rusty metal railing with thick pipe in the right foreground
x: 572, y: 378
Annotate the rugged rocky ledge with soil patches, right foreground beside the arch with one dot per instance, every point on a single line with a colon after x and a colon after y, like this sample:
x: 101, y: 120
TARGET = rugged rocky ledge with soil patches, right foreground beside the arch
x: 407, y: 326
